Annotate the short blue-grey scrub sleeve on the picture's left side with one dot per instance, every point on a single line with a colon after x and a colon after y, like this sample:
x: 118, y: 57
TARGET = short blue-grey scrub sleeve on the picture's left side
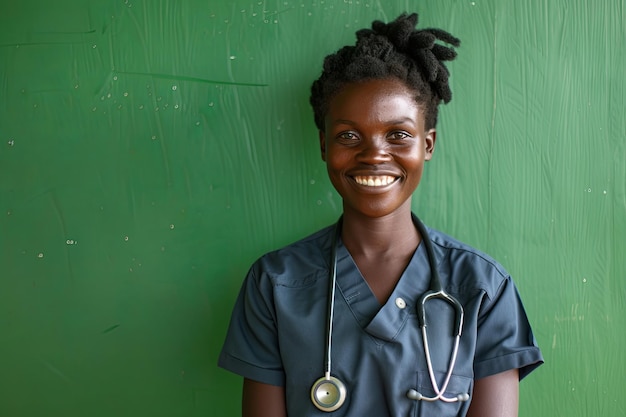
x: 251, y: 347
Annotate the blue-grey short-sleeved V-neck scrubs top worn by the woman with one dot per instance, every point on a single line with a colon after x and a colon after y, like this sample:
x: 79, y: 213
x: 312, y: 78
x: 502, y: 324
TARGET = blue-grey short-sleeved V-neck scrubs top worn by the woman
x: 277, y: 333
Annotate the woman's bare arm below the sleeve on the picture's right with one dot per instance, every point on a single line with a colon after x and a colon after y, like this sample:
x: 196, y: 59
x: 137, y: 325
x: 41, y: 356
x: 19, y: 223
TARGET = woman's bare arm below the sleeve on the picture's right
x: 496, y: 395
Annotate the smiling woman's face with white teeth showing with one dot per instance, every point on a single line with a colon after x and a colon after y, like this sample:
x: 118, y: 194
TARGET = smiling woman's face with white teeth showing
x: 375, y: 144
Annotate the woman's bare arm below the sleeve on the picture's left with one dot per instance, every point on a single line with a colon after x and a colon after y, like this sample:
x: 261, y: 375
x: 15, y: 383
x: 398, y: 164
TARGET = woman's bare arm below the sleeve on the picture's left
x: 263, y: 400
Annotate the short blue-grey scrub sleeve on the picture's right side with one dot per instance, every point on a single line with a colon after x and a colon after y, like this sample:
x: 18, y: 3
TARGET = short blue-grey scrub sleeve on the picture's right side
x: 504, y: 337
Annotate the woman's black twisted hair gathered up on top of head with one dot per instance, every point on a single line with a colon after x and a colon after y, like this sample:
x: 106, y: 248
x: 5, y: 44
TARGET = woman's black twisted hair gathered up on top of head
x: 393, y: 50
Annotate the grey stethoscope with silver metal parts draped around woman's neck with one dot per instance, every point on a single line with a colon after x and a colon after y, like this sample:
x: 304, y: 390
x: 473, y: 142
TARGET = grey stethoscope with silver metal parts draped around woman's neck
x: 328, y: 393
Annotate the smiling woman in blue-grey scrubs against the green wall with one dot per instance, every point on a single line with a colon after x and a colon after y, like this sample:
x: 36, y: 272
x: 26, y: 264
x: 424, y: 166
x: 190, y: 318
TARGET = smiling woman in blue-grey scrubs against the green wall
x: 361, y: 281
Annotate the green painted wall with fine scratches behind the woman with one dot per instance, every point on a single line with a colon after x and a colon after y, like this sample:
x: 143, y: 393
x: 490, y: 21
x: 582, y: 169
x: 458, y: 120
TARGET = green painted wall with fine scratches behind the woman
x: 151, y: 150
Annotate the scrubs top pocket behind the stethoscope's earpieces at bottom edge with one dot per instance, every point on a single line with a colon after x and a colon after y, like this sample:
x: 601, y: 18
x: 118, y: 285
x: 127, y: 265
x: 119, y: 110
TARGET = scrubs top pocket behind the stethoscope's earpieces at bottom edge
x: 458, y: 385
